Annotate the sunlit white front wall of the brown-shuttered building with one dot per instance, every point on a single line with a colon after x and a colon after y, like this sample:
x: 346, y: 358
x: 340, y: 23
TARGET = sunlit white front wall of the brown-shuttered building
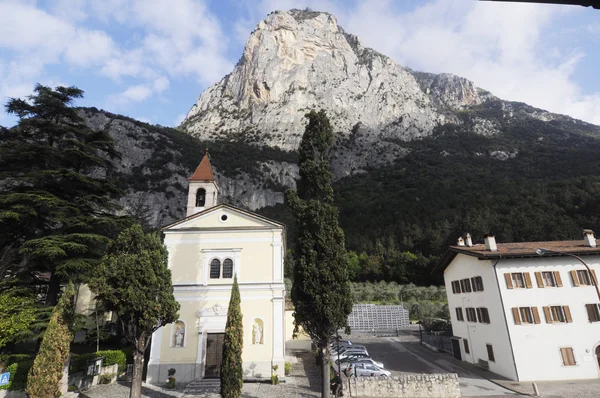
x: 537, y: 346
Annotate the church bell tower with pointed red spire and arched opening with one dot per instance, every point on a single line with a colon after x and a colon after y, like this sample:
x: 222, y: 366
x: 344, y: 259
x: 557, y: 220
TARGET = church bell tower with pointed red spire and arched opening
x: 203, y: 191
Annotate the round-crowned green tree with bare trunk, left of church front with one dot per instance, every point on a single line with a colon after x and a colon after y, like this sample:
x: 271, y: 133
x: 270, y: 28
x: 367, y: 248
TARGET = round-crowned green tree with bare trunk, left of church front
x: 134, y: 281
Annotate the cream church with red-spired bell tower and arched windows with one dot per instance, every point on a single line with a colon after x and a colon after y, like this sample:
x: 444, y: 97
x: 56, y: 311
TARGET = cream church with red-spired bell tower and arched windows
x: 206, y: 249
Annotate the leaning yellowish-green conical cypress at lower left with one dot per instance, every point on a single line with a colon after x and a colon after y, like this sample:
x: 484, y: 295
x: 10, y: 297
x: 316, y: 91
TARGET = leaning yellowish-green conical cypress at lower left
x: 47, y: 371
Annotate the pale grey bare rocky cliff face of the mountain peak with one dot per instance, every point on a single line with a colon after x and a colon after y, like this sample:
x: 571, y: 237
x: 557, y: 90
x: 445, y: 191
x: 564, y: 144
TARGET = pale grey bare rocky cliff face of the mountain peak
x: 295, y: 61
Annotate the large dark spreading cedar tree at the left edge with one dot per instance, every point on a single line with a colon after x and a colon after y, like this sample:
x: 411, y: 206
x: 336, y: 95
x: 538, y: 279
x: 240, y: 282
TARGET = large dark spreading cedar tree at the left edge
x: 56, y: 205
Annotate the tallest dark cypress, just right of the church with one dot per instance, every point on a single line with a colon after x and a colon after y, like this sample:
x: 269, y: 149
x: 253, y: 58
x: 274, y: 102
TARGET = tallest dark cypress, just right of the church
x: 321, y: 292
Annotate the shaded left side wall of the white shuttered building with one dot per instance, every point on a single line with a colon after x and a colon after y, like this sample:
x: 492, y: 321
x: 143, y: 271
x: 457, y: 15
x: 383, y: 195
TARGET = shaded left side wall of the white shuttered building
x: 480, y: 334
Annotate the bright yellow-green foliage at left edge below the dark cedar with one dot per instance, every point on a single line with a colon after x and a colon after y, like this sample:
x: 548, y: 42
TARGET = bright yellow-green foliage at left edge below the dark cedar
x: 17, y: 313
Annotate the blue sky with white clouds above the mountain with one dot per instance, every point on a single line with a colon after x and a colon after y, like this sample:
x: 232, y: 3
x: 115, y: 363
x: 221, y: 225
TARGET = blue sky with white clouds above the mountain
x: 151, y: 59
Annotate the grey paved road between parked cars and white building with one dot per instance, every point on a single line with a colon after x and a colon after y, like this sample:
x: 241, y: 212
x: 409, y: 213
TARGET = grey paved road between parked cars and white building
x: 404, y: 355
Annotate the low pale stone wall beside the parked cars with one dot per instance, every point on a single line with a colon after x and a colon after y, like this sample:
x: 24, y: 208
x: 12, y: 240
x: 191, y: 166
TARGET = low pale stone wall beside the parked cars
x: 414, y: 386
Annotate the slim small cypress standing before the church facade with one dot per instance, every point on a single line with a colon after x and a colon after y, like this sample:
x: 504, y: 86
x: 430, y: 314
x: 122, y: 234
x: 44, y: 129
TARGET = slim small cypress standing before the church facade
x: 233, y: 343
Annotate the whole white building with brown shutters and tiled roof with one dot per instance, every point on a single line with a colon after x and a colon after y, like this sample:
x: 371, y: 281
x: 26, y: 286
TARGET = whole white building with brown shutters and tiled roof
x: 525, y: 316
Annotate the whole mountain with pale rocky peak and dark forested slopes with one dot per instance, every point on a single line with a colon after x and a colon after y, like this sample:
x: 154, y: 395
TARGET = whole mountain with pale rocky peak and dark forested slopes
x: 418, y: 158
